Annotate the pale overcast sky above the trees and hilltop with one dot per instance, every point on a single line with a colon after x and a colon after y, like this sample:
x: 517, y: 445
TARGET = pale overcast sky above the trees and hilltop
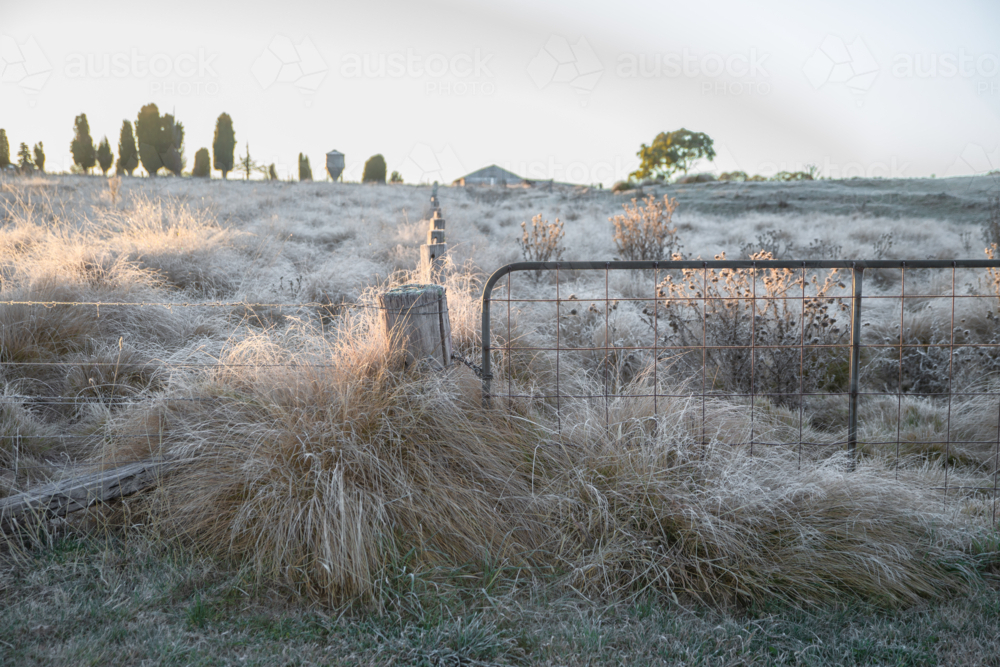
x: 564, y: 89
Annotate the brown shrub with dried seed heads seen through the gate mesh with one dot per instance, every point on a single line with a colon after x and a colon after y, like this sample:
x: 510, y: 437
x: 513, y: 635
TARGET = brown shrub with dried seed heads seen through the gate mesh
x: 755, y: 331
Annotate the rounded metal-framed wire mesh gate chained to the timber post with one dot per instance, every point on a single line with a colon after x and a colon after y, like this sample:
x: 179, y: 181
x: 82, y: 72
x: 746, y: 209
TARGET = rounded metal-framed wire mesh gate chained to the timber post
x: 896, y: 358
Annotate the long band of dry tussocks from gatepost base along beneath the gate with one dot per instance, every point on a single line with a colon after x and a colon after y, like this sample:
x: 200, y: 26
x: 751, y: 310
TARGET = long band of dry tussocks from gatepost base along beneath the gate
x: 317, y: 461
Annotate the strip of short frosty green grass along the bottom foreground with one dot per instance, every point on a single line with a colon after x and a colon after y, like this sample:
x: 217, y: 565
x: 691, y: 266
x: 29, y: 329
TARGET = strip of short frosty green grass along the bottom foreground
x: 87, y: 601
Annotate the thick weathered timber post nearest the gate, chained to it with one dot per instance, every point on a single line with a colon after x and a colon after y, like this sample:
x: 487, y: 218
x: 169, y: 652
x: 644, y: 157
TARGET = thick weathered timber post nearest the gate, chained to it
x: 416, y: 316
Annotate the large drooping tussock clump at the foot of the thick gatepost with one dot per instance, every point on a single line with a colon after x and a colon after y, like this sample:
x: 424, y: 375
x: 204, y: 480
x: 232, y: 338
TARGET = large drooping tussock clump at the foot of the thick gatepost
x: 340, y: 462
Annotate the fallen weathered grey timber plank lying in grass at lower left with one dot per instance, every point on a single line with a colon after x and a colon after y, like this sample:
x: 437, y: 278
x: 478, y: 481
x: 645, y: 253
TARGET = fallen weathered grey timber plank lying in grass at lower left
x: 77, y: 493
